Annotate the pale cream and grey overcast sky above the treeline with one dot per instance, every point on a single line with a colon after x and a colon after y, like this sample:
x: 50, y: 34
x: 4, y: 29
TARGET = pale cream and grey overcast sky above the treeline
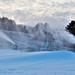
x: 30, y: 12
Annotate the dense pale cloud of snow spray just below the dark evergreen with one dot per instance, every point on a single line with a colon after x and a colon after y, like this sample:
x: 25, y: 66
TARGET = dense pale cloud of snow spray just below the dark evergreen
x: 63, y: 38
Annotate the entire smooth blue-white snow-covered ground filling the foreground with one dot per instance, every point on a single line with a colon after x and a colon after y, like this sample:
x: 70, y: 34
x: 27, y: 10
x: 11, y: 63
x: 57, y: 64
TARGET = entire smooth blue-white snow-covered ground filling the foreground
x: 14, y: 62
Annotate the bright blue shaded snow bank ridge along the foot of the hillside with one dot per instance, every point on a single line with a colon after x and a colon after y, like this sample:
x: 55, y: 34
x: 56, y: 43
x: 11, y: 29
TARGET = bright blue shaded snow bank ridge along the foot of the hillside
x: 14, y: 56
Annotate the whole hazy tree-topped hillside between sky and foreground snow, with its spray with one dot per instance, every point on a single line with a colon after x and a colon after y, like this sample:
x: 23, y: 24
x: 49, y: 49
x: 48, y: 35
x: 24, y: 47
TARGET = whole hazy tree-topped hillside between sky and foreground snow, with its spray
x: 29, y: 38
